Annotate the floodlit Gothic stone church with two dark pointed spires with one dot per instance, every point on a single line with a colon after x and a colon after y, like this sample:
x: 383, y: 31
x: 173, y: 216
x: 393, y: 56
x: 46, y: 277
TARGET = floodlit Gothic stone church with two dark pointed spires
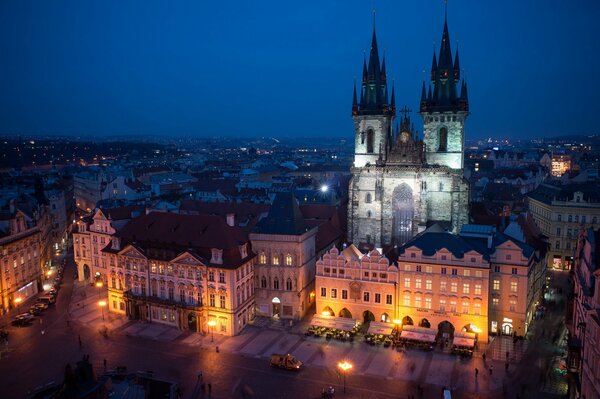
x: 401, y: 183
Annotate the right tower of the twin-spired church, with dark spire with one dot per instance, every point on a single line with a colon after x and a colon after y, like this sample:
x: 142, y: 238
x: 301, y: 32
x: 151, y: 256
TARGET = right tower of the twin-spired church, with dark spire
x: 444, y: 110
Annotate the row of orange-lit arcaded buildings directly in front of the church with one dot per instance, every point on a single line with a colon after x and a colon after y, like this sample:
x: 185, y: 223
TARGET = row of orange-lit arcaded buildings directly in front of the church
x: 476, y: 282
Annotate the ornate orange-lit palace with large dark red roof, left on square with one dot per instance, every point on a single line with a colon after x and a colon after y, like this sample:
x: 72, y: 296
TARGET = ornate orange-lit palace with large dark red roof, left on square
x: 181, y: 270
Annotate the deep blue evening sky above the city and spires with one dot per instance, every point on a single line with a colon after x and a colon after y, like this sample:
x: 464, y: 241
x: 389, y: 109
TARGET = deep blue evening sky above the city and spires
x: 254, y: 68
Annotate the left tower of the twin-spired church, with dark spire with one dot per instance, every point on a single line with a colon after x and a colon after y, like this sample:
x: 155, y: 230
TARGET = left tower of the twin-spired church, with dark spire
x: 372, y: 113
